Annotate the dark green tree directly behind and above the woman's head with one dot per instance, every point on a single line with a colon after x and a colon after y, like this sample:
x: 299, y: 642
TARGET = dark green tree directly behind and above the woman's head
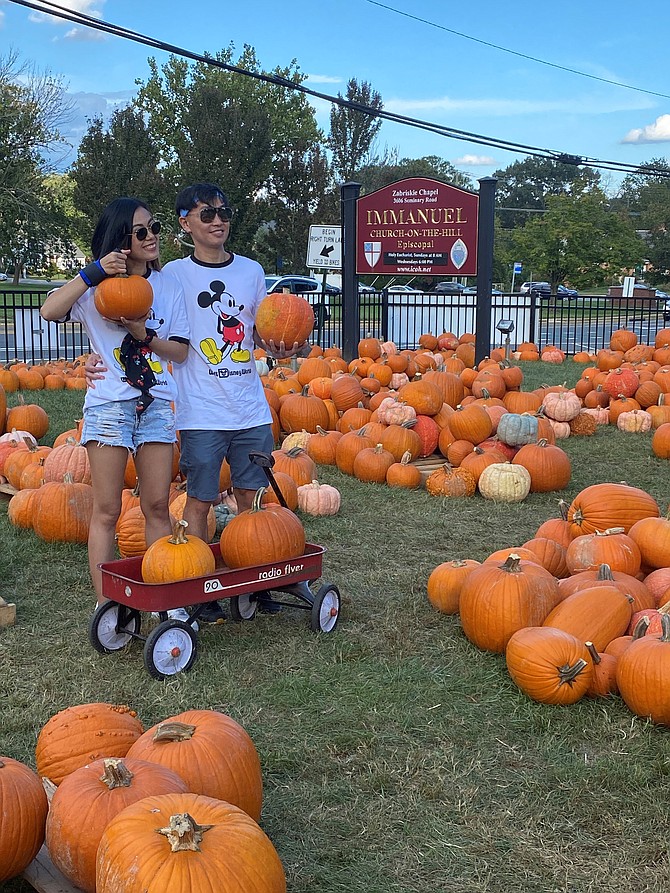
x: 121, y: 160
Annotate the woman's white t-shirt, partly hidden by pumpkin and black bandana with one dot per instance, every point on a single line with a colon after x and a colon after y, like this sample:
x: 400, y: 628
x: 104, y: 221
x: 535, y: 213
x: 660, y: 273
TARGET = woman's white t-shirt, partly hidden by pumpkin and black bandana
x: 167, y: 318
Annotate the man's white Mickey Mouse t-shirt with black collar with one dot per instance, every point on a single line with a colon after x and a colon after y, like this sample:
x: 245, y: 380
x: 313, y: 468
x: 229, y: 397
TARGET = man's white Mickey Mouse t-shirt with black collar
x: 218, y: 386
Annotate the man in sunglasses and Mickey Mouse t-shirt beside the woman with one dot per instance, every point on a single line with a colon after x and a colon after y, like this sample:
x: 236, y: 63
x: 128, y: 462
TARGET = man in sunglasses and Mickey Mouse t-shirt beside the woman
x: 222, y: 412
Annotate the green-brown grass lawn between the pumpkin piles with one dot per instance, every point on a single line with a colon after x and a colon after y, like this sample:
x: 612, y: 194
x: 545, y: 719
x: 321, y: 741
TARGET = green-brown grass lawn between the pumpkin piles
x: 397, y: 758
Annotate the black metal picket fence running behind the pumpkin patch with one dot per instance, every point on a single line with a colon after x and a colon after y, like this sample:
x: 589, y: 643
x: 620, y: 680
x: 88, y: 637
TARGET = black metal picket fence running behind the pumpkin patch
x: 584, y: 323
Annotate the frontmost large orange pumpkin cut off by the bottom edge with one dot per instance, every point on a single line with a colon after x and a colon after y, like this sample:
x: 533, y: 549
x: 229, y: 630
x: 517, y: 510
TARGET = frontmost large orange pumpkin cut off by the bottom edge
x: 186, y: 843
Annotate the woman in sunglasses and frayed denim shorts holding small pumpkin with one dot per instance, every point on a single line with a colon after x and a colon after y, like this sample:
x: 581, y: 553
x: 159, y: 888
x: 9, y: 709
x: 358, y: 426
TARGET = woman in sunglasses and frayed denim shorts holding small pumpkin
x: 123, y: 412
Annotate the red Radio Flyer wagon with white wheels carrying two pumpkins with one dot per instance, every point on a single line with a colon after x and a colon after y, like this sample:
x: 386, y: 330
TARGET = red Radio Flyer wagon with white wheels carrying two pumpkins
x: 171, y: 646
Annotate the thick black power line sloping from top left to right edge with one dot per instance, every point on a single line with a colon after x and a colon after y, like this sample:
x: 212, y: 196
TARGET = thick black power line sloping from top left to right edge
x: 276, y: 80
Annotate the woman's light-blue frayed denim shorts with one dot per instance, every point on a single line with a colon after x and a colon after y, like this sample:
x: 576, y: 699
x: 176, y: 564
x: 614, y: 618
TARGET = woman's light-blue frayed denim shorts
x: 117, y: 424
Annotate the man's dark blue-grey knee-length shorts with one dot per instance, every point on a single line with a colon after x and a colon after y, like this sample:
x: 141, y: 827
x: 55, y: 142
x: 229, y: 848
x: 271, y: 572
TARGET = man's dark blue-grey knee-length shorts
x: 202, y: 453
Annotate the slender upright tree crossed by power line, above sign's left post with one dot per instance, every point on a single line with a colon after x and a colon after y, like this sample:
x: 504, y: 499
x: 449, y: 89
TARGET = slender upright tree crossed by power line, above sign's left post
x: 353, y: 132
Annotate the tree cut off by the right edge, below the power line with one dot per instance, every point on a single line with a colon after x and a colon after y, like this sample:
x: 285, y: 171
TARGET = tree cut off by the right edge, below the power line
x: 645, y: 195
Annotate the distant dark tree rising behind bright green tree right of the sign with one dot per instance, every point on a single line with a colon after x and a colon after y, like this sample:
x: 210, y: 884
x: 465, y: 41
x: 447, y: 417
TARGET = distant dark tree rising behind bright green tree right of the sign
x: 524, y: 186
